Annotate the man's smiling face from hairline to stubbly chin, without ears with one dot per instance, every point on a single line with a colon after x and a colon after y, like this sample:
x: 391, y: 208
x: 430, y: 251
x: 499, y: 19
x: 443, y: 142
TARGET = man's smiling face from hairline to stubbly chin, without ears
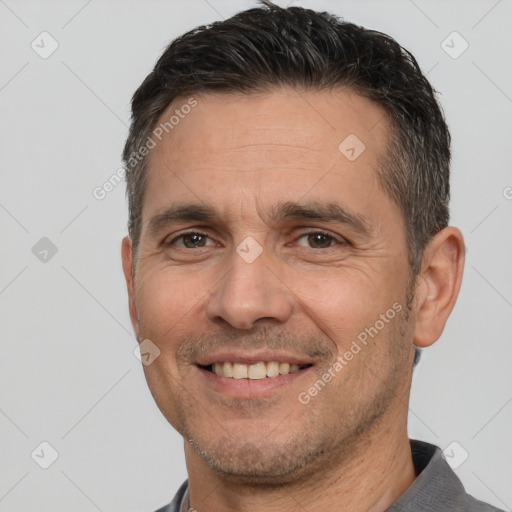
x: 263, y: 242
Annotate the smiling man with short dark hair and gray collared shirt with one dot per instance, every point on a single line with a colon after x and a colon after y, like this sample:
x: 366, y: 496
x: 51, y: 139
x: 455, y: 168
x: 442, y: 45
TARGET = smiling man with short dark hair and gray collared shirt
x: 288, y: 254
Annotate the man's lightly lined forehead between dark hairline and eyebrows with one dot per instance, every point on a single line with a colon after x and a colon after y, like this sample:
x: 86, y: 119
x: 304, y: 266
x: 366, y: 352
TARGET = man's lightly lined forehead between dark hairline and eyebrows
x: 274, y: 146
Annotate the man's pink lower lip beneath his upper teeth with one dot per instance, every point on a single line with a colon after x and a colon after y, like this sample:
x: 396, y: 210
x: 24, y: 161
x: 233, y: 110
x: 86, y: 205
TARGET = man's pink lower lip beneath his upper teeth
x: 250, y: 388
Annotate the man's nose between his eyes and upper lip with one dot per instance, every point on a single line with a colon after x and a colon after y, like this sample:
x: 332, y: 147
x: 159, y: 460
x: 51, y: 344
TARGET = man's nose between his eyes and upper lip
x: 248, y: 292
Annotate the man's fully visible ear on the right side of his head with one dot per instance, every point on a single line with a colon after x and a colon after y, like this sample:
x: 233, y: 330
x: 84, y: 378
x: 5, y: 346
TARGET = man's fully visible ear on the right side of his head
x: 438, y: 285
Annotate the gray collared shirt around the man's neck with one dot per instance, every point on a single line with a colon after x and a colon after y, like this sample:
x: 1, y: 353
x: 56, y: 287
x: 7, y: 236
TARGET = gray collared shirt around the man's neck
x: 436, y: 488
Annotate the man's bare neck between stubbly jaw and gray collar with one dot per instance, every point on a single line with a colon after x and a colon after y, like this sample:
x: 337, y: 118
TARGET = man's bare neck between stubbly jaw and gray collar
x: 378, y: 471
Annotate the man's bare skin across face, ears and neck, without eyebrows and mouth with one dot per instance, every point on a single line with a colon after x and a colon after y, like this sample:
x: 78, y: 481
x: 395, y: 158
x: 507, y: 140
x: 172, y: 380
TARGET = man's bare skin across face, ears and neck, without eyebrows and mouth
x: 241, y: 156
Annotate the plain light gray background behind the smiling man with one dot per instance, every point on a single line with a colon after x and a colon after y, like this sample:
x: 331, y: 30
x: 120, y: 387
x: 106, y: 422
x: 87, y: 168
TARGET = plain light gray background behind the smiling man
x: 67, y: 372
